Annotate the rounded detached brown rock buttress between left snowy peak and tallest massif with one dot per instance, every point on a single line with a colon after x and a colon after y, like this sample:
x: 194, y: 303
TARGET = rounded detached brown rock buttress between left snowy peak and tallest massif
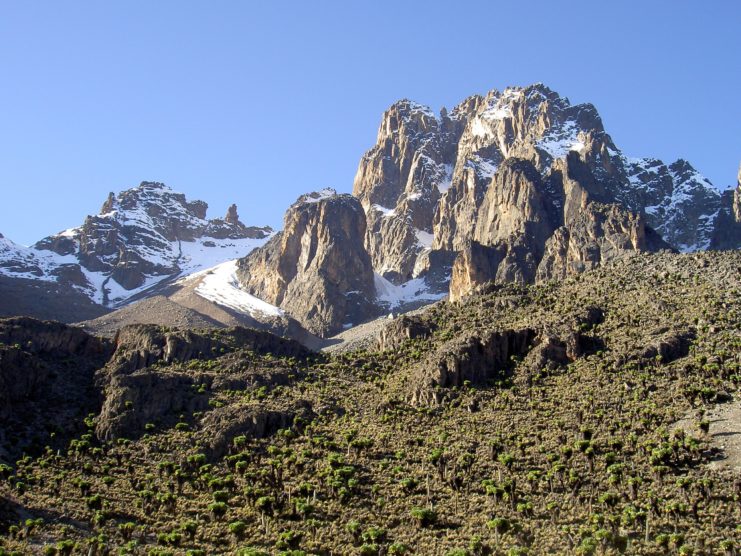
x: 316, y: 268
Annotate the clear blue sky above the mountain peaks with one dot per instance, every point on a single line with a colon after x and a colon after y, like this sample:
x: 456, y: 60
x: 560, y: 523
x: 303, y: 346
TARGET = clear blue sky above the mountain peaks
x: 257, y: 102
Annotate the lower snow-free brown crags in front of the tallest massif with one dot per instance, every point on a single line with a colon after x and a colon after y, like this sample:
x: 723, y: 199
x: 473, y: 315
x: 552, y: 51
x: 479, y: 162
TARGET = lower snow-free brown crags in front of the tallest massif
x: 529, y: 229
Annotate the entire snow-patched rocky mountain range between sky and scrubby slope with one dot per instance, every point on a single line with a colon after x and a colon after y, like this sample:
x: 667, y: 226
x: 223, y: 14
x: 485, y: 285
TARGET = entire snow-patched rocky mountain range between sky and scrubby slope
x: 512, y: 186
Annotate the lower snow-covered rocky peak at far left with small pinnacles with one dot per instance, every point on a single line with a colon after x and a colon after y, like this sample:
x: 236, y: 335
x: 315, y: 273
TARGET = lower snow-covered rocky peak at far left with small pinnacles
x: 141, y: 236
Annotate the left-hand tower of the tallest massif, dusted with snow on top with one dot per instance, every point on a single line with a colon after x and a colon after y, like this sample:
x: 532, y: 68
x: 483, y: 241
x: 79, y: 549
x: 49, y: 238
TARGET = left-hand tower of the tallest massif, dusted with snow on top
x: 399, y: 183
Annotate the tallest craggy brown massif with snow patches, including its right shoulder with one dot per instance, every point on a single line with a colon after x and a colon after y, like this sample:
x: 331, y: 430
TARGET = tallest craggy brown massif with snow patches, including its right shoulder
x: 524, y: 186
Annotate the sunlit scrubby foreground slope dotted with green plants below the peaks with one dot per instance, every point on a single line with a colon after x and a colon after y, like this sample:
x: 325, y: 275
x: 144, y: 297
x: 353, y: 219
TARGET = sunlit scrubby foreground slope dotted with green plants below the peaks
x: 524, y: 420
